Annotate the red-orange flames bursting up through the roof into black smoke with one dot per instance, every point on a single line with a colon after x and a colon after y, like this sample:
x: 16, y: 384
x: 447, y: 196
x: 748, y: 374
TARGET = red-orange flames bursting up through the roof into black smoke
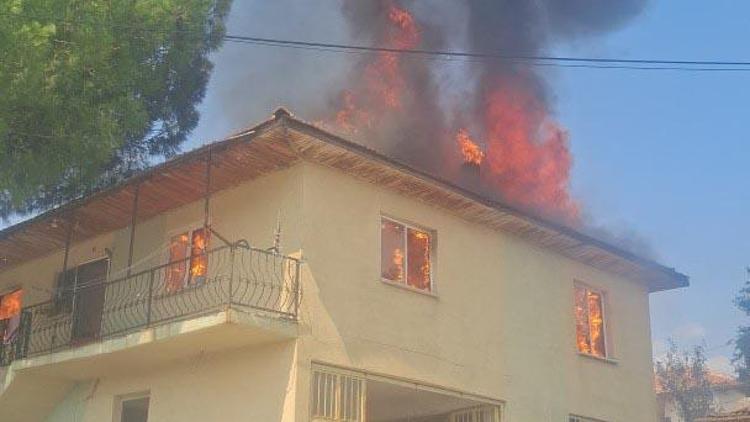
x: 523, y: 158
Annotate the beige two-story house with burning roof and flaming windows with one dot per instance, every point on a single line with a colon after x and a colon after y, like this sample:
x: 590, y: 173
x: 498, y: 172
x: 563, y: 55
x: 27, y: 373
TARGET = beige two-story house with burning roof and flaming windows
x: 287, y: 274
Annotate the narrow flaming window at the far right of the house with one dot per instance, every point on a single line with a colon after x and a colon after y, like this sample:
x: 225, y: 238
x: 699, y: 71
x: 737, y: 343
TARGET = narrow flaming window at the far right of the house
x: 590, y: 329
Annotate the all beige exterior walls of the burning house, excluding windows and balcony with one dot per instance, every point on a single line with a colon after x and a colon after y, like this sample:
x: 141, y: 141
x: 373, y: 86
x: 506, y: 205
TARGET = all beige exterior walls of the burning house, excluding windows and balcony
x: 500, y: 324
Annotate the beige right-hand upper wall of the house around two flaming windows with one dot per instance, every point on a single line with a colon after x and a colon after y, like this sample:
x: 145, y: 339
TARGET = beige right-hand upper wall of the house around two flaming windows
x: 501, y: 324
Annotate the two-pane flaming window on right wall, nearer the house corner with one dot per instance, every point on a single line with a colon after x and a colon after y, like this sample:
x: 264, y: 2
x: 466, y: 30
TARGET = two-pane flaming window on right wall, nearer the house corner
x: 406, y: 254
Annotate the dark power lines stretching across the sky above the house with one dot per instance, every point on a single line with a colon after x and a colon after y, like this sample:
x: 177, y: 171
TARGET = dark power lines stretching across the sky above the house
x: 471, y: 56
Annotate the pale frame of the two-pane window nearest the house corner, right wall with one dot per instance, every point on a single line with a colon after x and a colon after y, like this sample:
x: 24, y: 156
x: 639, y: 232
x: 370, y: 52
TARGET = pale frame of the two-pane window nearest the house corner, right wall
x: 432, y: 291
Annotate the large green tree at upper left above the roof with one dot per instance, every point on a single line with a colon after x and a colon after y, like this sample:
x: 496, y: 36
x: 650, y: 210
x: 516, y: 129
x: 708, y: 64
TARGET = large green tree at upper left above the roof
x: 93, y: 90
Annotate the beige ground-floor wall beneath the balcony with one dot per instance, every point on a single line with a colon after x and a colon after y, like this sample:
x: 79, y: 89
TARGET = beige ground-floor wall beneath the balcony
x: 255, y: 384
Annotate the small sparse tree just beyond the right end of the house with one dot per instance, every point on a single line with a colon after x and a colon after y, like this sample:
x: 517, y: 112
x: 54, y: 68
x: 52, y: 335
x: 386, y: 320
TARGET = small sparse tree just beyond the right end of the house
x: 684, y: 378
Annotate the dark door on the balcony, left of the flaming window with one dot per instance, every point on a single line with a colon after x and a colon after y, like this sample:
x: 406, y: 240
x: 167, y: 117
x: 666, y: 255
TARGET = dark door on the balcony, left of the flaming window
x: 88, y: 300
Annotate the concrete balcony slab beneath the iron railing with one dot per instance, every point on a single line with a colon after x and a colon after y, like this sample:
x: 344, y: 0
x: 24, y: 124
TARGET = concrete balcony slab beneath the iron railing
x: 30, y: 388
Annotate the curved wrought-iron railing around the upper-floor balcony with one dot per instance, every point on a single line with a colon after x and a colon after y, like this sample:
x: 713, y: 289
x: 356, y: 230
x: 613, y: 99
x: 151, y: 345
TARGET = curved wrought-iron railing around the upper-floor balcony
x: 238, y: 276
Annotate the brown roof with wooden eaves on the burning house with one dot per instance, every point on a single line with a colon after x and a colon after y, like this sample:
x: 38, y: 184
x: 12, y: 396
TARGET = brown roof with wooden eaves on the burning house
x: 279, y: 143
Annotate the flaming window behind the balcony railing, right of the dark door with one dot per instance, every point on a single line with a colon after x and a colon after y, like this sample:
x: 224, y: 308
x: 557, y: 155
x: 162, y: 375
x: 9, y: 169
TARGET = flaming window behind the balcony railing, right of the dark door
x: 188, y: 258
